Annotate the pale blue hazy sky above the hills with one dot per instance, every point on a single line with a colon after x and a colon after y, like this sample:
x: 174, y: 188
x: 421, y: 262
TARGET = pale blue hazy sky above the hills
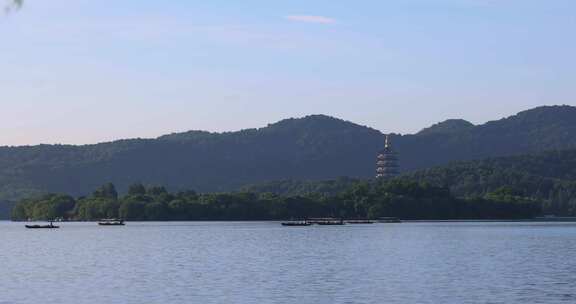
x: 84, y: 71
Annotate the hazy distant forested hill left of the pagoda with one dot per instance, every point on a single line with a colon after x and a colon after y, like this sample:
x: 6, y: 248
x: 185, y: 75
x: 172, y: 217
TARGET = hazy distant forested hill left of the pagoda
x: 314, y: 147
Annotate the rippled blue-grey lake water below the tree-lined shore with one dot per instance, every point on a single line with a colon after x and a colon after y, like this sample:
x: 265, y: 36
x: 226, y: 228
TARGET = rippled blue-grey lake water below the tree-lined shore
x: 263, y: 262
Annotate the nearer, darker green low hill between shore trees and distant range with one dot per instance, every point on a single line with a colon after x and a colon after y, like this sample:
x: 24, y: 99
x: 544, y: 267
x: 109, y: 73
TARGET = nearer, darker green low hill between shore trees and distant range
x: 548, y: 178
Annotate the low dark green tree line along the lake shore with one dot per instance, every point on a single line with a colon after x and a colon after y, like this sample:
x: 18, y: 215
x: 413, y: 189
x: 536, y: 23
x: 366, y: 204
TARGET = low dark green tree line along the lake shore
x: 372, y: 199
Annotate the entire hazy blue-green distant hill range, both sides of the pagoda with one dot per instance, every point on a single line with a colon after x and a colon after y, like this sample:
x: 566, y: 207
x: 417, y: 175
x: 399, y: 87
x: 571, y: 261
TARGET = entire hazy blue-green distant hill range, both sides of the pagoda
x: 311, y: 148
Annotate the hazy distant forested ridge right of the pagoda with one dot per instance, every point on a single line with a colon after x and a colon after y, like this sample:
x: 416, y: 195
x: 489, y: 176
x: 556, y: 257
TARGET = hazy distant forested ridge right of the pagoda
x: 536, y: 130
